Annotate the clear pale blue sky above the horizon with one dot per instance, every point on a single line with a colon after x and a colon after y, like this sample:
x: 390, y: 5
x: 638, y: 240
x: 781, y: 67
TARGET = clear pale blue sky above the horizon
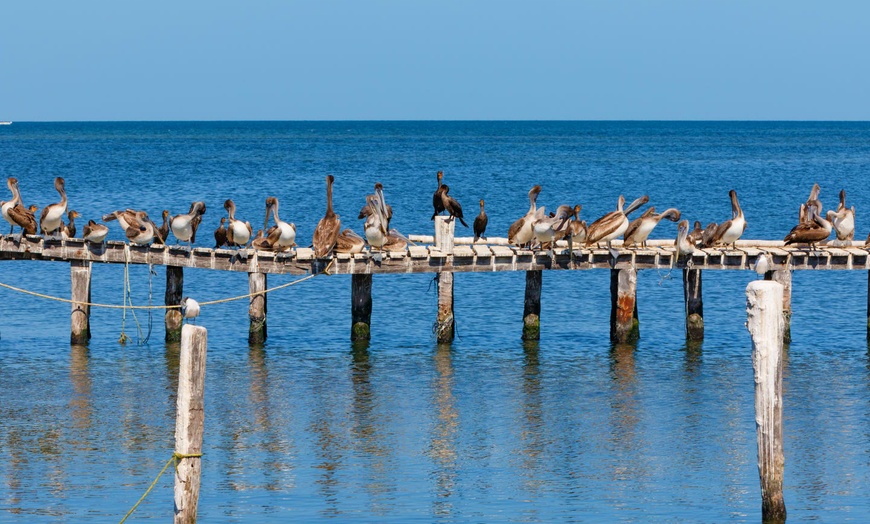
x: 434, y: 60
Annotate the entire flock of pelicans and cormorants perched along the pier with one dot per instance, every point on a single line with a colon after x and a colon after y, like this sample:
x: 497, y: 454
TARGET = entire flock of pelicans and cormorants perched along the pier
x: 535, y: 229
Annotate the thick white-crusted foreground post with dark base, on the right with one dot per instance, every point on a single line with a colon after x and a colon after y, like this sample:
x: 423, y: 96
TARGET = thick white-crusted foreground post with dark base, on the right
x: 766, y: 323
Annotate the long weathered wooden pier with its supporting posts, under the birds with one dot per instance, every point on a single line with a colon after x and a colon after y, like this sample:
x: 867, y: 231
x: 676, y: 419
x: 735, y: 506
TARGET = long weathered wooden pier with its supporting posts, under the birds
x: 445, y: 255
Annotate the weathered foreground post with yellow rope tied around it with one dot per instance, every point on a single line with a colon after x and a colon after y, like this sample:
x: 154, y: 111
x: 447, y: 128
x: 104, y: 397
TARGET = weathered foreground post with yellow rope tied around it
x: 189, y: 421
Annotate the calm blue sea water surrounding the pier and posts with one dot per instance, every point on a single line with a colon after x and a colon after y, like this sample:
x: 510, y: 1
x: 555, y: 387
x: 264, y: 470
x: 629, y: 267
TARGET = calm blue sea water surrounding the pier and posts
x: 486, y: 430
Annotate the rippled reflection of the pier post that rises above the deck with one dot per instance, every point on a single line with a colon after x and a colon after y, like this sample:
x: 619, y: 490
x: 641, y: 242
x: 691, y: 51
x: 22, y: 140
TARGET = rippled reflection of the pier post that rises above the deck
x: 442, y: 448
